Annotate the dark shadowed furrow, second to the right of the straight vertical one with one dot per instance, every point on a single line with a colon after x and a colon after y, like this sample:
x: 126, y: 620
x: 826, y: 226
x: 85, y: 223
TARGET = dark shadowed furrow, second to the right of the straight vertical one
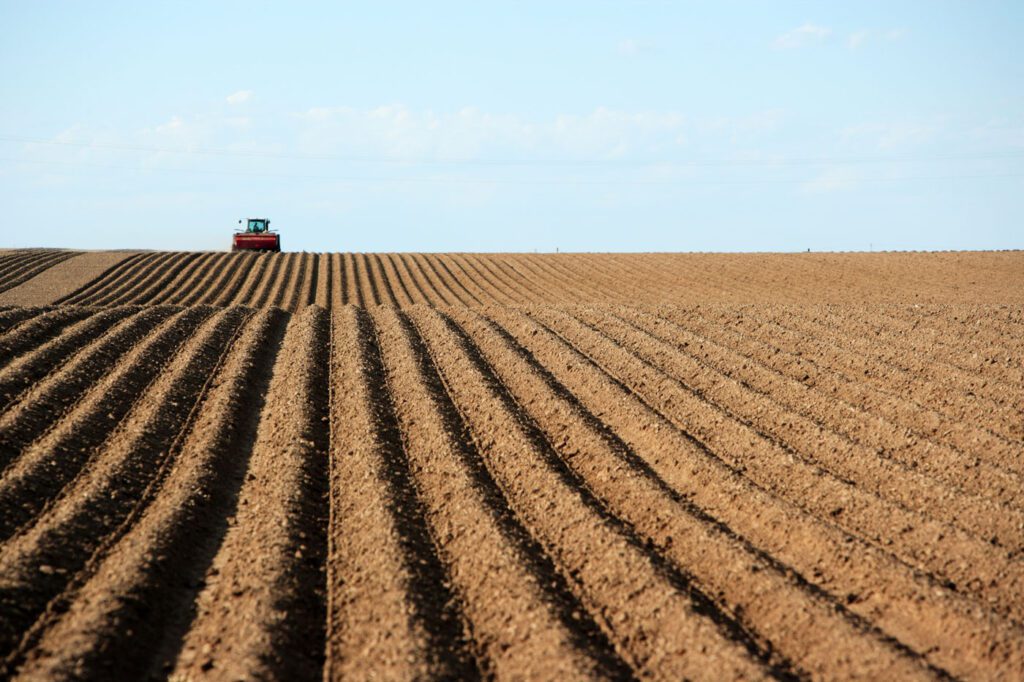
x: 571, y: 612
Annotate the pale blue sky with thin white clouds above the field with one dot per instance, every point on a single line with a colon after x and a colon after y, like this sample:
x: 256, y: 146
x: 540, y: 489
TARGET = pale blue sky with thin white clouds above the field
x: 515, y: 126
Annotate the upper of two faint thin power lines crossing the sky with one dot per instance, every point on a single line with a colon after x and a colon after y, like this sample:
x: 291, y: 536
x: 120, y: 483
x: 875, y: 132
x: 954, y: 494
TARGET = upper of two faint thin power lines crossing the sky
x: 793, y: 161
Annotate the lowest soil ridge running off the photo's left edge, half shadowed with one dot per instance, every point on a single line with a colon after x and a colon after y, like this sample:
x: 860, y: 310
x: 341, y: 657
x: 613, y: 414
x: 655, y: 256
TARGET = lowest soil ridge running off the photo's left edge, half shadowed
x: 37, y: 565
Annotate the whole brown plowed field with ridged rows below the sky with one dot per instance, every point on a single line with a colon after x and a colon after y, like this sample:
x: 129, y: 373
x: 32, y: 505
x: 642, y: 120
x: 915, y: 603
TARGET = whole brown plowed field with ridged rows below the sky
x: 395, y: 466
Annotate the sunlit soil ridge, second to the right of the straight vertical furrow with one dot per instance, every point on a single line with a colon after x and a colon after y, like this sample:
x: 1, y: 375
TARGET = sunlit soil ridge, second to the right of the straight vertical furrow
x: 519, y: 613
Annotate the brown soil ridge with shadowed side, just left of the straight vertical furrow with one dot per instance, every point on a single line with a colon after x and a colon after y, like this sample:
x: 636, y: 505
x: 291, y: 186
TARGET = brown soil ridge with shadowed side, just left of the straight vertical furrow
x: 262, y: 614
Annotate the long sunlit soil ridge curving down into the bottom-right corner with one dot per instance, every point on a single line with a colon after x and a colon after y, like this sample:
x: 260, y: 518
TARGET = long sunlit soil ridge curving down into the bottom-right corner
x: 953, y: 632
